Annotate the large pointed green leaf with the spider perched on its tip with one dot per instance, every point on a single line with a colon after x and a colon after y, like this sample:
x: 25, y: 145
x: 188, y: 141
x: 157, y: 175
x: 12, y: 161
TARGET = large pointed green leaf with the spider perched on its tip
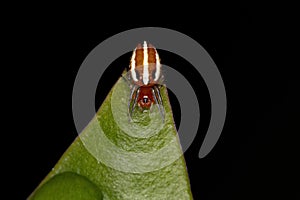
x: 114, y: 158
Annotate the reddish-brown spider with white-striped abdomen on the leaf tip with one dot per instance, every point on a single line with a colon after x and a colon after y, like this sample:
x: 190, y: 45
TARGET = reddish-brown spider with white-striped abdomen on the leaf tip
x: 145, y: 76
